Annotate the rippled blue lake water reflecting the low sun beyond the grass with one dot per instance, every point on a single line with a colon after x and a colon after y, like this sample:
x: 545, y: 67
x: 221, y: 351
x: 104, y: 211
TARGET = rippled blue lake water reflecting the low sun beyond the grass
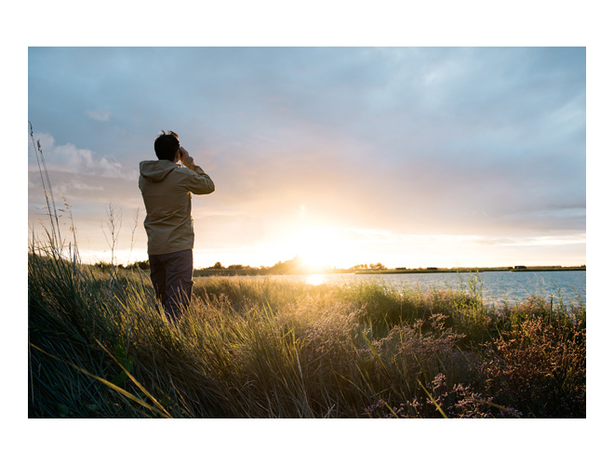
x: 498, y: 287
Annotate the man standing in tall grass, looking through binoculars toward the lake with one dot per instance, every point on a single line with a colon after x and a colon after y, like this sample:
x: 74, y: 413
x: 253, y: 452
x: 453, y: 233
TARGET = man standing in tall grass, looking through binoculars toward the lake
x: 166, y: 188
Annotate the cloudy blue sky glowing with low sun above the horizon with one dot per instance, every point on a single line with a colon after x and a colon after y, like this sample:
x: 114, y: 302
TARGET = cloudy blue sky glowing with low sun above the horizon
x: 407, y: 156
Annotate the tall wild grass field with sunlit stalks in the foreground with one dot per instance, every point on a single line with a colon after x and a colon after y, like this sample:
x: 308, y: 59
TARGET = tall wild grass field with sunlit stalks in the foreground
x: 99, y: 347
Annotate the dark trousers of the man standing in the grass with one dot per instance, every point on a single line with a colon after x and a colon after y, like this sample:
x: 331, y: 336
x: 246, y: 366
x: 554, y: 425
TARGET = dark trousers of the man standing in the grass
x: 171, y: 275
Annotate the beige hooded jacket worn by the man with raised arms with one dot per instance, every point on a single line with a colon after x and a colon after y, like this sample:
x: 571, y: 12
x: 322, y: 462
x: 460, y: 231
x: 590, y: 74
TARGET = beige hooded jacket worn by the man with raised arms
x: 166, y: 188
